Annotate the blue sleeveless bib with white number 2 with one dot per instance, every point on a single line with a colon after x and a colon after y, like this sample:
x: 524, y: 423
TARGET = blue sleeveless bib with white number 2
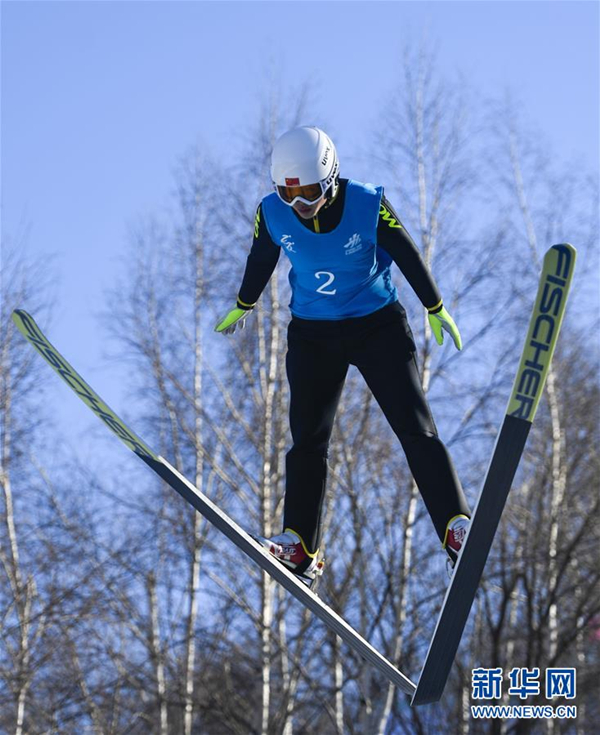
x: 337, y: 274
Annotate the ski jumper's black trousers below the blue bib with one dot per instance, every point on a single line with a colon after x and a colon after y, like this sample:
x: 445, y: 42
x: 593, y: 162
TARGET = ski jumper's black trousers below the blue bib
x: 381, y: 346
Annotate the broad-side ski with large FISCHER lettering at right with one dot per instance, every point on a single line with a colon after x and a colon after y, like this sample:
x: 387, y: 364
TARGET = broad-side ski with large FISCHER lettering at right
x: 544, y: 327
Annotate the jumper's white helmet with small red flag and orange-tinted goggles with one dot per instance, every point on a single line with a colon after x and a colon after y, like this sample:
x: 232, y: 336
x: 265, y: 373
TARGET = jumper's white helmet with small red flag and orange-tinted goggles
x: 304, y: 165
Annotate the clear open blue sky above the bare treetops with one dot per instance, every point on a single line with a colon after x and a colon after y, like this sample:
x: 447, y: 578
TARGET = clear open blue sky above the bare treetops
x: 99, y: 99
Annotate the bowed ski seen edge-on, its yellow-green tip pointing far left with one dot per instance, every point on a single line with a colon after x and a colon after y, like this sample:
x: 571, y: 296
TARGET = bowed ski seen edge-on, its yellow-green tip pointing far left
x: 206, y: 507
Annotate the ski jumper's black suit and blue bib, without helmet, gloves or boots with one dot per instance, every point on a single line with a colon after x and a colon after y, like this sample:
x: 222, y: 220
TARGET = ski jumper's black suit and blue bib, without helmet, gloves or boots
x: 345, y: 311
